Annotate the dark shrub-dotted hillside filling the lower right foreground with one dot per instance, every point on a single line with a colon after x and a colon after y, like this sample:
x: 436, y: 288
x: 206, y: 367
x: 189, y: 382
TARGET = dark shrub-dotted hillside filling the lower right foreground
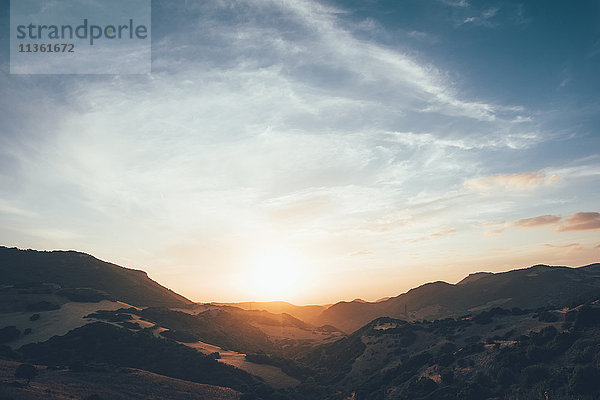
x: 495, y: 354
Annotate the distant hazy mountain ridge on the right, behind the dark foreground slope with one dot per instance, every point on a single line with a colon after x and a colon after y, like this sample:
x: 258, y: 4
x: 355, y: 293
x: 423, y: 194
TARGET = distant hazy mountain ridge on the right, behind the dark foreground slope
x: 532, y: 287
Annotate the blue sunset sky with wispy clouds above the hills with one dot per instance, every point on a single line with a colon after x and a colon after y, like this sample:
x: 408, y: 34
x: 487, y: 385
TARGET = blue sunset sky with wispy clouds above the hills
x: 317, y: 151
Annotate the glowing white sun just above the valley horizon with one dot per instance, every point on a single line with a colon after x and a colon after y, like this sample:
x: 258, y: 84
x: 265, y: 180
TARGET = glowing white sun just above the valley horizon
x: 274, y: 276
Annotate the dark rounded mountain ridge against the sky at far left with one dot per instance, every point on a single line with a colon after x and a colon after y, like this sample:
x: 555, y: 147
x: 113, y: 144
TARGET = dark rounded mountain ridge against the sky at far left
x: 71, y: 269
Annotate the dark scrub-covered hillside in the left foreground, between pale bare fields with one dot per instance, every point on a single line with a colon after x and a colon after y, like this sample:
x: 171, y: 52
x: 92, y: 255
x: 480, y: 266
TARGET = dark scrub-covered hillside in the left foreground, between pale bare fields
x: 109, y: 345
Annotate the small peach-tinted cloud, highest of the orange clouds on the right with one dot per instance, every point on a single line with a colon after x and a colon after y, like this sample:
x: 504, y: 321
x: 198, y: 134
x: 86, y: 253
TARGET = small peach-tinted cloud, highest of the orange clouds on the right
x: 519, y: 181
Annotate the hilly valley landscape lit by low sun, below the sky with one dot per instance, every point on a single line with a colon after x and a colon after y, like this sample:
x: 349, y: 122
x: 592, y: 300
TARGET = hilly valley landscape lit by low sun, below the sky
x: 524, y: 333
